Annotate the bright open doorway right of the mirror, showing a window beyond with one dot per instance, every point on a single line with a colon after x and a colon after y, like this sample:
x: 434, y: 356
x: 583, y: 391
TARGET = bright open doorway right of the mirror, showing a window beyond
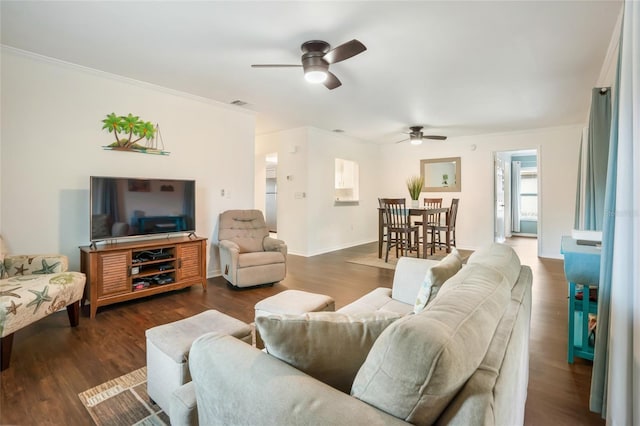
x: 517, y: 194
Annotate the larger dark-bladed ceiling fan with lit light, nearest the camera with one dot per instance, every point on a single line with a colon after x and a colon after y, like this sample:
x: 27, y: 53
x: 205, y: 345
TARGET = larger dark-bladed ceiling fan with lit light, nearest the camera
x: 317, y: 55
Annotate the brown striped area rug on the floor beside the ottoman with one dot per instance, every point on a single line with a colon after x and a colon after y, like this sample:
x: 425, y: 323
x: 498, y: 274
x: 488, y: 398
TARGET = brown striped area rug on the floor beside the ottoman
x: 123, y: 401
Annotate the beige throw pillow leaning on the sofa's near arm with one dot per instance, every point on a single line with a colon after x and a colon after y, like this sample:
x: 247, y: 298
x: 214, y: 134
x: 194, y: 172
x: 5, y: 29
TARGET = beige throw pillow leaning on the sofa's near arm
x: 328, y: 346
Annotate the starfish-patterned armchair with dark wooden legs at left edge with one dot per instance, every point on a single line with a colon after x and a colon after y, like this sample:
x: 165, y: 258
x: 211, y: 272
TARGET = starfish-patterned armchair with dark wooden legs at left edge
x: 31, y: 288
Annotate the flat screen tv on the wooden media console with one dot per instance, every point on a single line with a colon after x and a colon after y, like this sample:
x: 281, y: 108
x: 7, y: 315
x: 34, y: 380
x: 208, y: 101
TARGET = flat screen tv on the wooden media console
x: 132, y: 207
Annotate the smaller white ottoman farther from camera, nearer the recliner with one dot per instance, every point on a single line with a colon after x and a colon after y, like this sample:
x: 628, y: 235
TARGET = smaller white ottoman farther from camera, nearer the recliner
x: 292, y: 302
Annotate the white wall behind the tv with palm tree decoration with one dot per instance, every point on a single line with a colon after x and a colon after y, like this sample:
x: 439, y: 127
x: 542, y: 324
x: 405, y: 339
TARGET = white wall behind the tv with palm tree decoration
x: 52, y: 142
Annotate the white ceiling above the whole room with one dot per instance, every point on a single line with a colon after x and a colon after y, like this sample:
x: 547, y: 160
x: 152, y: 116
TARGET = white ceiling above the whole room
x: 458, y: 68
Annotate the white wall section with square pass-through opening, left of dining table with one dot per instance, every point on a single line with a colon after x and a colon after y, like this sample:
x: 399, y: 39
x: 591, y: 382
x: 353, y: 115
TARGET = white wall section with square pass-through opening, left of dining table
x: 308, y: 218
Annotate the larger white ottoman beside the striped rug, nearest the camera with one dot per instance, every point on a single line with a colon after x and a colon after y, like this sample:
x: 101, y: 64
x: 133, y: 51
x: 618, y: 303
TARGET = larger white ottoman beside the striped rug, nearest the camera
x: 168, y: 350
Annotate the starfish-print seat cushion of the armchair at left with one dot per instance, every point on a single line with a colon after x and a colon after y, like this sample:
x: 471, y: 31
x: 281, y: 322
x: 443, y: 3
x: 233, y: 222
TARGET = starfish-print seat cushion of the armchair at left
x: 25, y: 299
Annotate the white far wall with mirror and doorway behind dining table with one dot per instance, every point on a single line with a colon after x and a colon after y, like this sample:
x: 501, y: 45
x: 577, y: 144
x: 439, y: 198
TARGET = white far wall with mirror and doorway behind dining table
x: 558, y: 164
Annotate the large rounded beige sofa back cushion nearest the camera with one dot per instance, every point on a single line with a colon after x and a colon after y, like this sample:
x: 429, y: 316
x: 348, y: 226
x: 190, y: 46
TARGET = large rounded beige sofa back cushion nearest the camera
x: 420, y: 362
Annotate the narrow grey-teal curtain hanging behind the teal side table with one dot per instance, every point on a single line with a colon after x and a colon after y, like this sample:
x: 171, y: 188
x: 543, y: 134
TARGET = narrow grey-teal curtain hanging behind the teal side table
x: 597, y: 157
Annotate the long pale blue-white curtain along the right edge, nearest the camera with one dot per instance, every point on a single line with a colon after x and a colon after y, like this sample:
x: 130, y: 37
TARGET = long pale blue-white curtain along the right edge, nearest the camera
x: 615, y: 383
